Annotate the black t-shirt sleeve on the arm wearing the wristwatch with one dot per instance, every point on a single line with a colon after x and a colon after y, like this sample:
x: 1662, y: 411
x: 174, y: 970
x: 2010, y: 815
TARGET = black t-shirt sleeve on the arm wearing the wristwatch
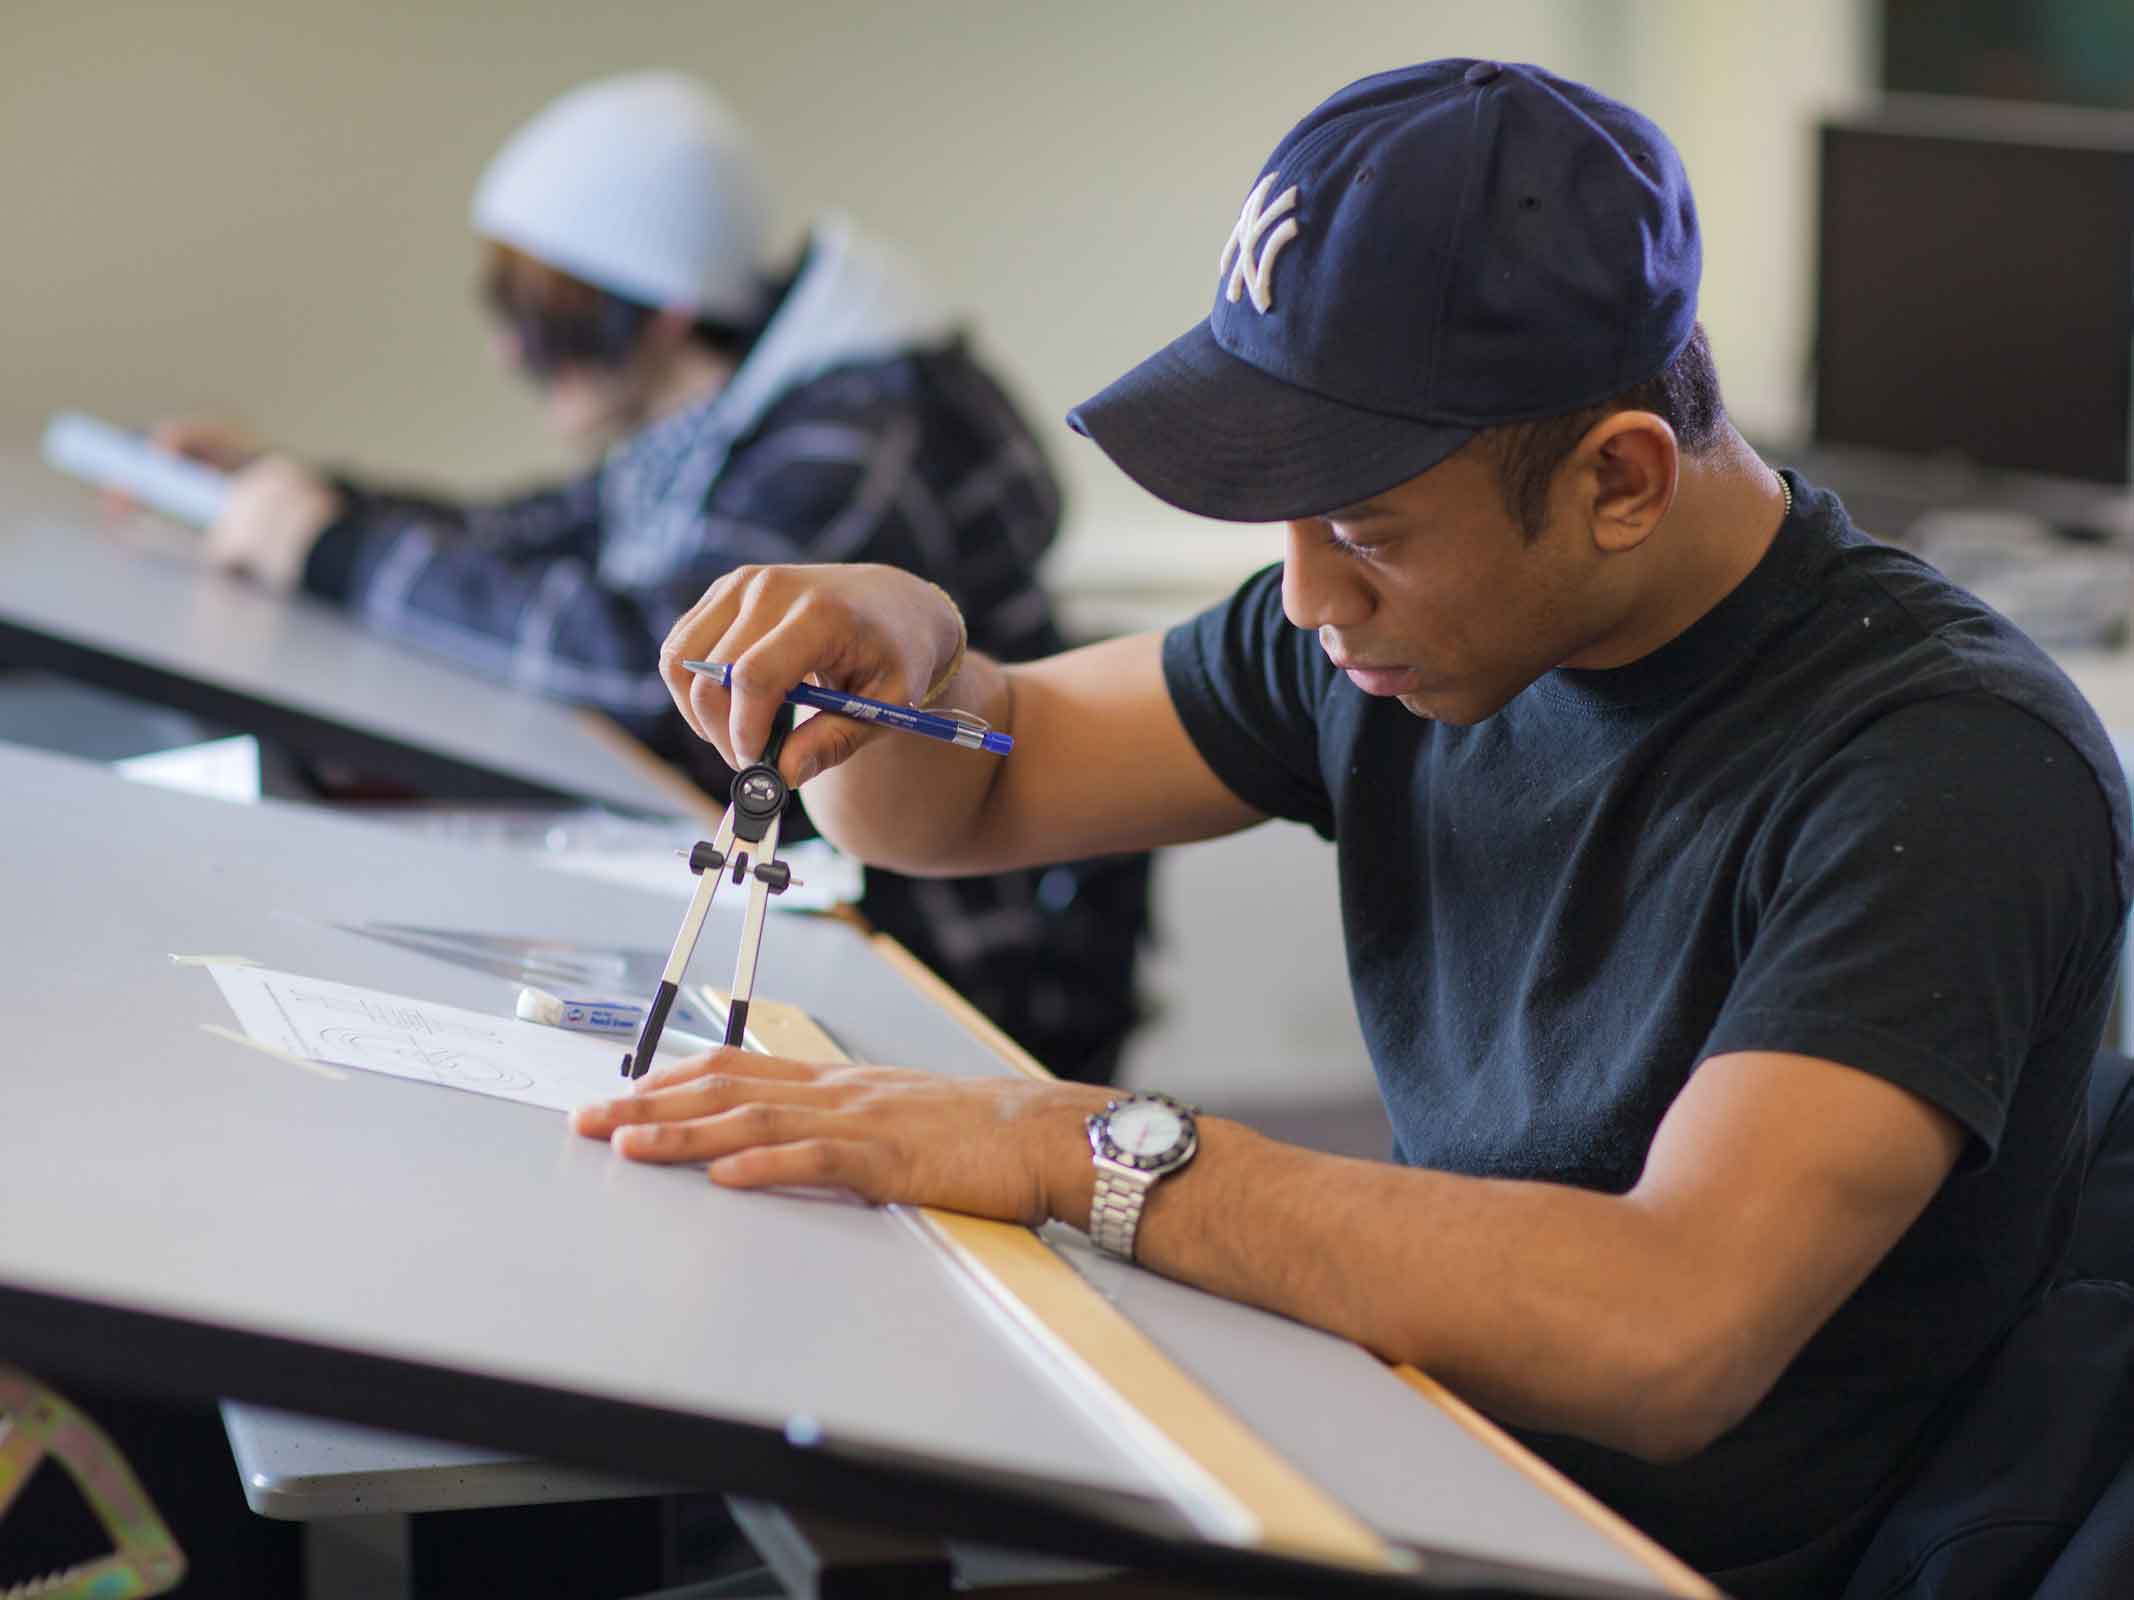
x: 1928, y: 903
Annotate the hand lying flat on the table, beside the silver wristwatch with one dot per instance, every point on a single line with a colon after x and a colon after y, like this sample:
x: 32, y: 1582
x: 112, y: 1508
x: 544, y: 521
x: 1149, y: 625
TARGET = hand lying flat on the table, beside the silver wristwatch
x: 996, y: 1147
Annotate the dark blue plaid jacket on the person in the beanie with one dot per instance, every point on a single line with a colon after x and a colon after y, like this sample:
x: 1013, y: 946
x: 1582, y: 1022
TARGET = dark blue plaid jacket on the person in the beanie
x: 917, y: 462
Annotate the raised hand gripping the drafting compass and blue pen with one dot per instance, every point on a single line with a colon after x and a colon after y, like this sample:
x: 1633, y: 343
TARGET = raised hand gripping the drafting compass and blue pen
x: 870, y: 630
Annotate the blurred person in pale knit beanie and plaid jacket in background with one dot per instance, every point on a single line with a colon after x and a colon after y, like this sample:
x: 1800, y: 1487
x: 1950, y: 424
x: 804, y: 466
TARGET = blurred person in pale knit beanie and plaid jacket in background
x: 739, y: 411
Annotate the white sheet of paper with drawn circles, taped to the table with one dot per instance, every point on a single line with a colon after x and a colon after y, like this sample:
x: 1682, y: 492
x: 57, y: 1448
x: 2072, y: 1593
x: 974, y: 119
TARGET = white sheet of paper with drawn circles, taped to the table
x: 432, y: 1044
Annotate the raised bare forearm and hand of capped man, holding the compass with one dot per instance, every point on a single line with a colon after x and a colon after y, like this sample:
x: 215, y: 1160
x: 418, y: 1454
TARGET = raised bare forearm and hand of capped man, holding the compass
x: 1102, y: 761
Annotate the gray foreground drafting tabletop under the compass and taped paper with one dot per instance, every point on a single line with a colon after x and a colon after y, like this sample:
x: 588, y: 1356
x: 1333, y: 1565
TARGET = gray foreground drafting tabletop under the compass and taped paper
x: 206, y: 1179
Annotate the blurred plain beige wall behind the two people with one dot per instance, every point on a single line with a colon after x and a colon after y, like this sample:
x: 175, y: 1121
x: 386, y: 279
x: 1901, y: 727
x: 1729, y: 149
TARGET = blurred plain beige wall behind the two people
x: 257, y: 208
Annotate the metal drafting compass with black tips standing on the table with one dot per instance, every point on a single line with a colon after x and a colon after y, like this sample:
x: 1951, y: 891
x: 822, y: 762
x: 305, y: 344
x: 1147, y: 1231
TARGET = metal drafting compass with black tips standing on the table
x: 746, y: 848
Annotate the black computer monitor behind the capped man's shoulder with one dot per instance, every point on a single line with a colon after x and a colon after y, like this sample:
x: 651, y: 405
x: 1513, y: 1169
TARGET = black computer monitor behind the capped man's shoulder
x: 1975, y: 289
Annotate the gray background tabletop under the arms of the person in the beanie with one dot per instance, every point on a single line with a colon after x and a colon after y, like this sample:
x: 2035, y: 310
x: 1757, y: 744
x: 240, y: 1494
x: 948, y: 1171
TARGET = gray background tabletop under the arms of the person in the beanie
x: 78, y: 603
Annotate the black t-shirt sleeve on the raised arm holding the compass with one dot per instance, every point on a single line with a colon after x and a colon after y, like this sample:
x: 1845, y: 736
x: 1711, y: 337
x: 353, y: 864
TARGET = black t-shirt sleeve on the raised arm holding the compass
x: 1249, y: 688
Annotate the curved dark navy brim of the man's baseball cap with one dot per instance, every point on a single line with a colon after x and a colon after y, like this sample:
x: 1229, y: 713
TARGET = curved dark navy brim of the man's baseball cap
x: 1220, y: 438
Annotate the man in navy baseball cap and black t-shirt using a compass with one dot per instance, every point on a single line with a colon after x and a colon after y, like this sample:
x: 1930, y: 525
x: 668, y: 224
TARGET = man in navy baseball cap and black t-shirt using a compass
x: 1732, y: 903
